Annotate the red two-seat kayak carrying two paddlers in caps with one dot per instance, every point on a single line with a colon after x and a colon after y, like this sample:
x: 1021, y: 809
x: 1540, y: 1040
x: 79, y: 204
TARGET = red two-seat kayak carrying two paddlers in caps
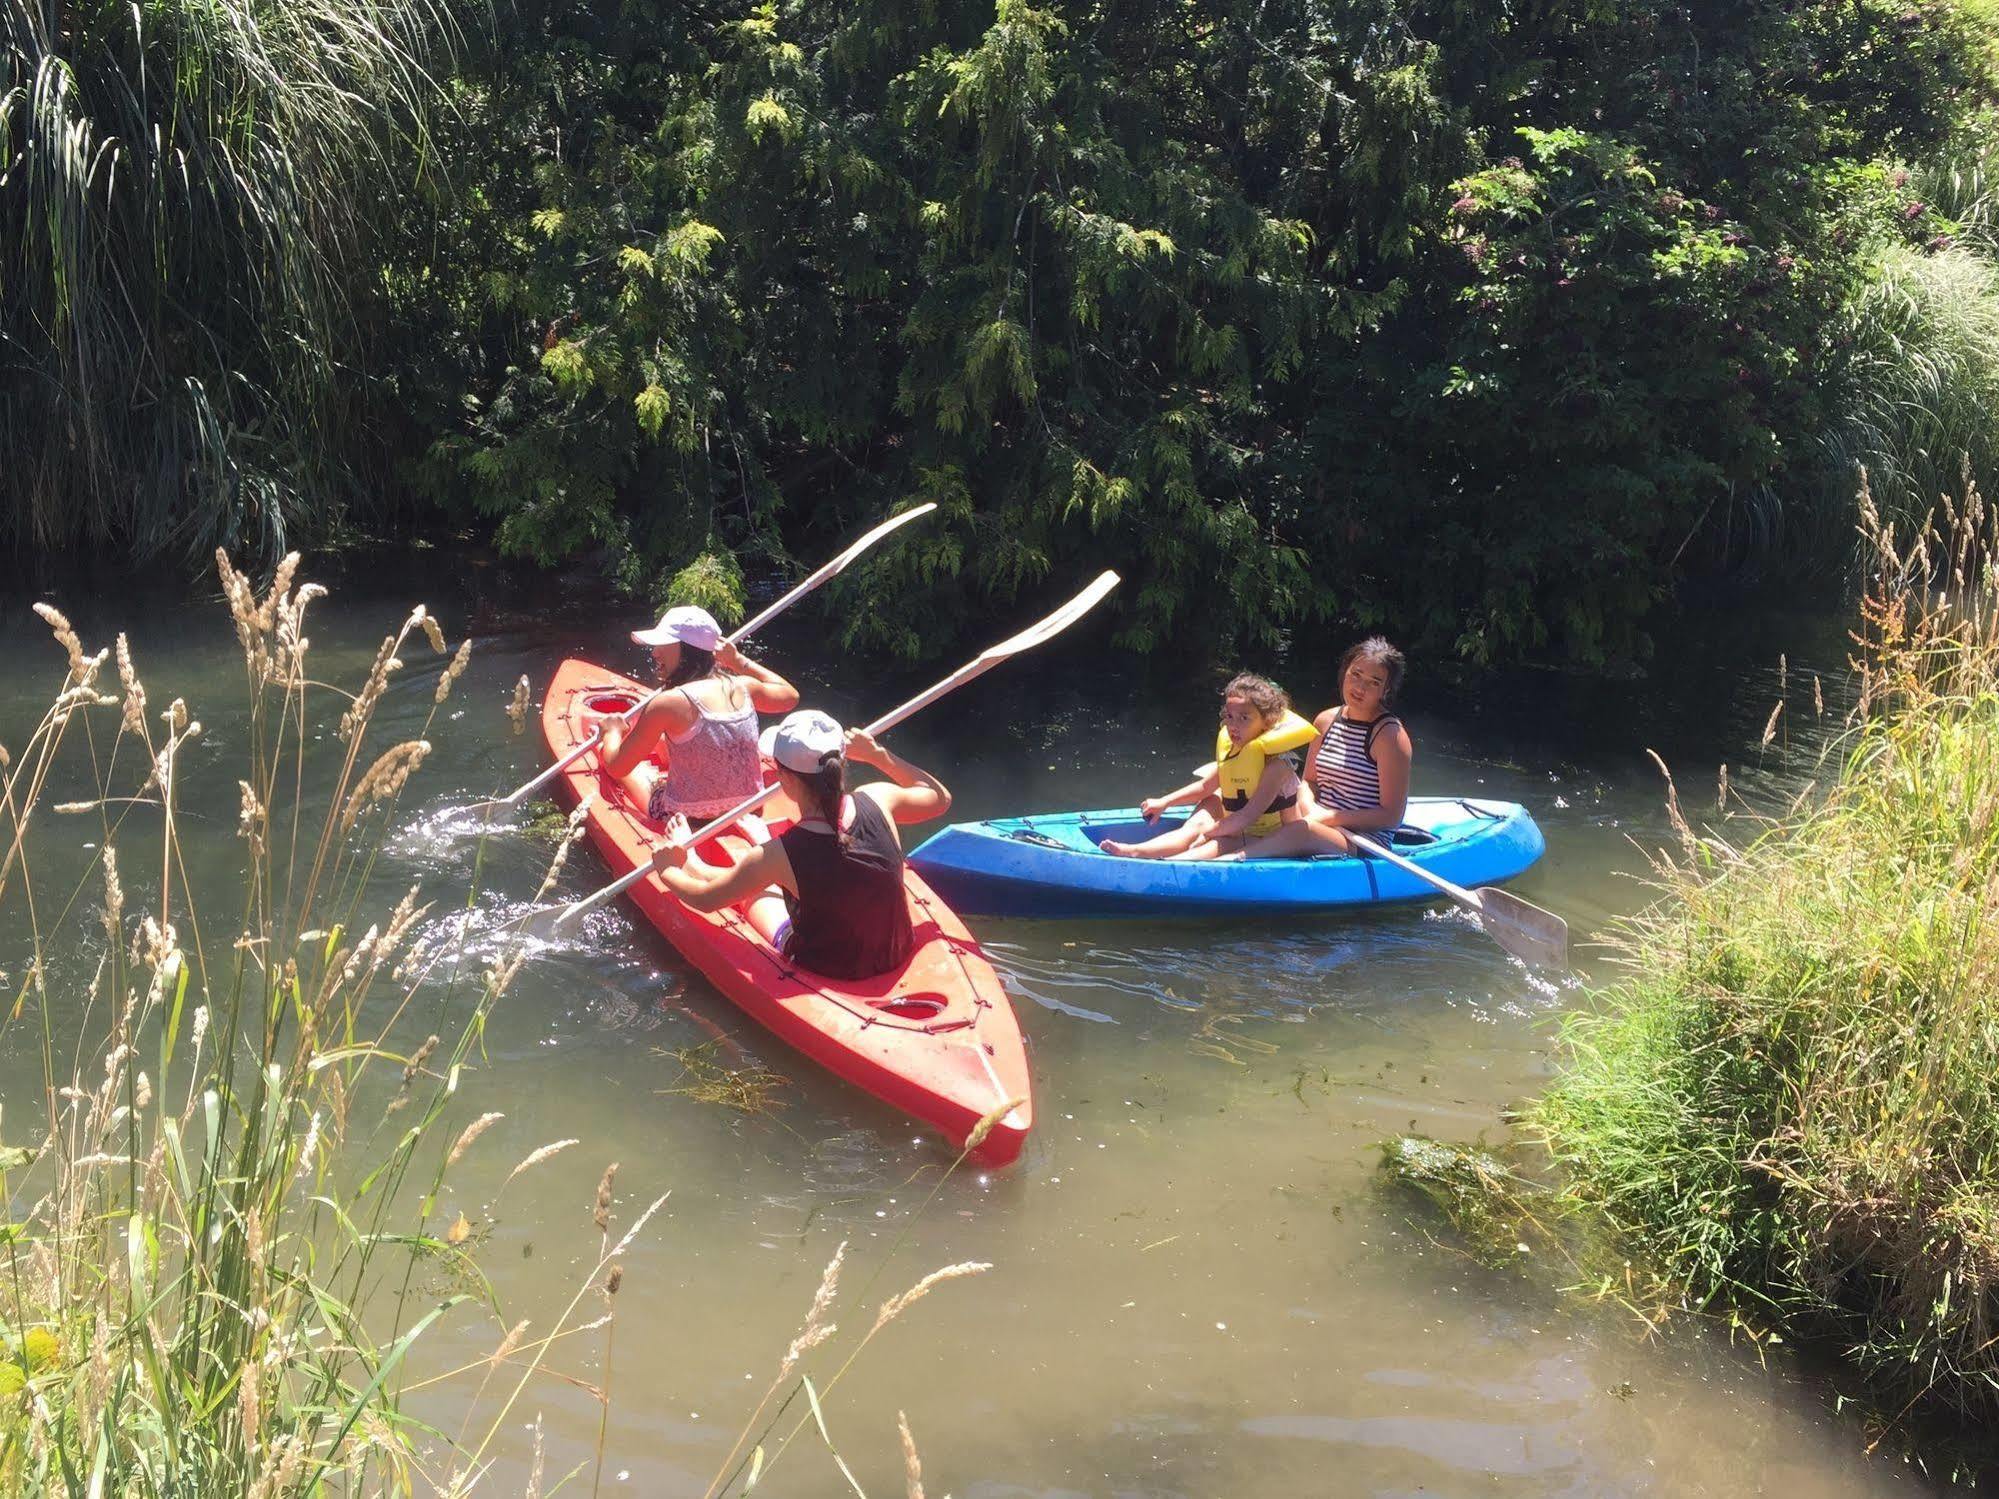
x: 937, y: 1038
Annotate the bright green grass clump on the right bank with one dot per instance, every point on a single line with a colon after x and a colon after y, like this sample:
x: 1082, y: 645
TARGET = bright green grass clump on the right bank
x: 1792, y: 1098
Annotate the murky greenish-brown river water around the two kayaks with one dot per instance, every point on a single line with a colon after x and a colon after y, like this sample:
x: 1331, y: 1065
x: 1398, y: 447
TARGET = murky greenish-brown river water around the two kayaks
x: 1198, y: 1284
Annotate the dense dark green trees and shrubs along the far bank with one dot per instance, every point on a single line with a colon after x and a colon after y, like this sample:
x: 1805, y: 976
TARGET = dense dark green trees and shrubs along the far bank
x: 1482, y: 325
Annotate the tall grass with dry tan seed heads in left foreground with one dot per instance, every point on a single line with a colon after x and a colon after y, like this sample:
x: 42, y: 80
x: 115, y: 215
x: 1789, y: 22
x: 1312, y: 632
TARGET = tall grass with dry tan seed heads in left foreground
x: 221, y: 1218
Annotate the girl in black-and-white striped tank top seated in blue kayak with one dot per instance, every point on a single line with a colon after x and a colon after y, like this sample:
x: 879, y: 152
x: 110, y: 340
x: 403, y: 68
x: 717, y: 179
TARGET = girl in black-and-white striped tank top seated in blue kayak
x: 1358, y: 768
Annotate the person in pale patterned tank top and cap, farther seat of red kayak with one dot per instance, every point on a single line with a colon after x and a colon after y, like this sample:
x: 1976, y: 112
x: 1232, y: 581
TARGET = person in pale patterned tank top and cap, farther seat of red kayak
x: 707, y: 725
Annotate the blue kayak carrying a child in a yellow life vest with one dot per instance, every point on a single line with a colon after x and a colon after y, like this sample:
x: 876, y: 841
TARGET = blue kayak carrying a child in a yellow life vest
x: 1050, y: 864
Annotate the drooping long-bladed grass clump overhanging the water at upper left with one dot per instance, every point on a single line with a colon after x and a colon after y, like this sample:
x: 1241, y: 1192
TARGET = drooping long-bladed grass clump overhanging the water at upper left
x: 185, y: 193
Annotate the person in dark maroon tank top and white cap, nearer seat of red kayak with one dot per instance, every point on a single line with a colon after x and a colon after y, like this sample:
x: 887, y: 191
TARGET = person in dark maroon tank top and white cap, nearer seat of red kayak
x: 829, y: 890
